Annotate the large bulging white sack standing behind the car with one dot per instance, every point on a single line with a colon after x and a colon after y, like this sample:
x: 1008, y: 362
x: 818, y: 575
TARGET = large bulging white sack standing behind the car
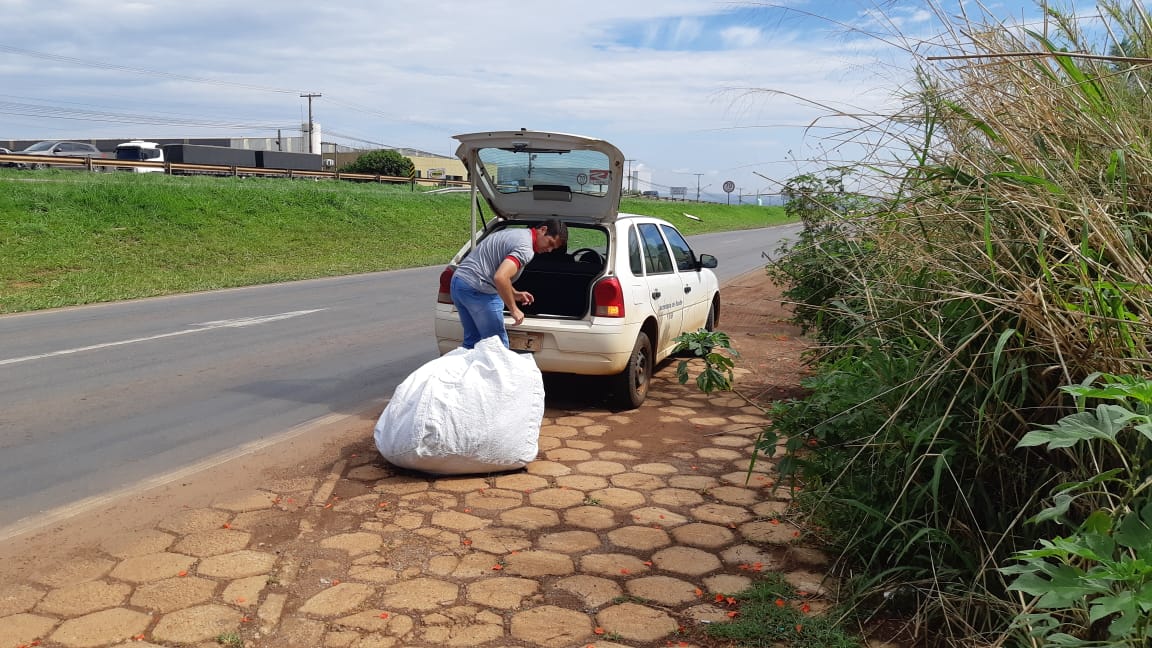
x: 469, y: 411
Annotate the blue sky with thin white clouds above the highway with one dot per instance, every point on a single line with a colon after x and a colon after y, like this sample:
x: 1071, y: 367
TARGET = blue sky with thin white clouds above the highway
x: 695, y: 93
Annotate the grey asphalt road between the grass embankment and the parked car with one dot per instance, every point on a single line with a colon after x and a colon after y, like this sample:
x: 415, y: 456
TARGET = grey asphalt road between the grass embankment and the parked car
x: 97, y: 398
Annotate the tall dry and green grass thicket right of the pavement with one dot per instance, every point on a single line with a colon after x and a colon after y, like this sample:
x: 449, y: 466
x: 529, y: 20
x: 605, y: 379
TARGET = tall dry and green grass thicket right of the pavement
x: 1011, y: 259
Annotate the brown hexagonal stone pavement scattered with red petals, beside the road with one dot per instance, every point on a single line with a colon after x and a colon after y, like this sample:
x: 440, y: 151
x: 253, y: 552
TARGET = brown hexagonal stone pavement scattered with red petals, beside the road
x: 618, y: 536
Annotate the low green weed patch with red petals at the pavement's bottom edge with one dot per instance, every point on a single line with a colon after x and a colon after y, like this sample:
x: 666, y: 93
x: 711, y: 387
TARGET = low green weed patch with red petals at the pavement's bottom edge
x: 772, y: 613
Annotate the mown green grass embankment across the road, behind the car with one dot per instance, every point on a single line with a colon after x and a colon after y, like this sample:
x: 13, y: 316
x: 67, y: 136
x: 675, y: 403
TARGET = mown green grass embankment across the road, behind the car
x: 70, y: 238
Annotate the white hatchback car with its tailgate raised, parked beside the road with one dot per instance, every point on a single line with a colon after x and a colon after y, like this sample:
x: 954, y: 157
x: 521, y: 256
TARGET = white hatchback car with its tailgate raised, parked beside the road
x: 615, y: 300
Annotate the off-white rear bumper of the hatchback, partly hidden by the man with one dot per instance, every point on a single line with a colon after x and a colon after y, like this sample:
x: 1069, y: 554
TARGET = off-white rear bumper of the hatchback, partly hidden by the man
x: 593, y: 348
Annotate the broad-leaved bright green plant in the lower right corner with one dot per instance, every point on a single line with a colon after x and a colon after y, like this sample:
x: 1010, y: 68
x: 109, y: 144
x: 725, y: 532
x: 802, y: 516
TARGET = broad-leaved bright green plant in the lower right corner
x: 1094, y: 587
